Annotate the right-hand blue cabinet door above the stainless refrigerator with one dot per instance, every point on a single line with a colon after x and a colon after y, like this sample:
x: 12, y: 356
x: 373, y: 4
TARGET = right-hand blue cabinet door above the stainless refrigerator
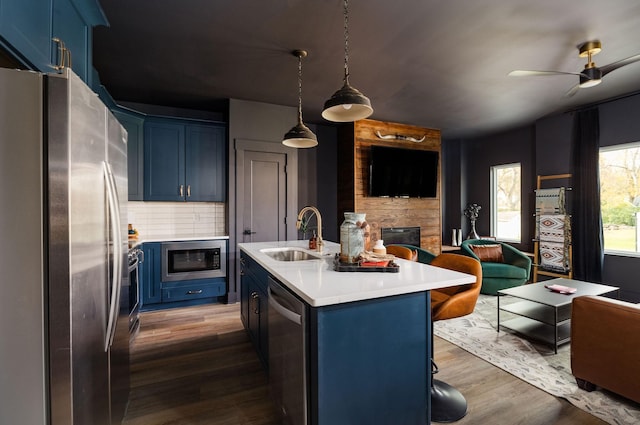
x: 71, y: 29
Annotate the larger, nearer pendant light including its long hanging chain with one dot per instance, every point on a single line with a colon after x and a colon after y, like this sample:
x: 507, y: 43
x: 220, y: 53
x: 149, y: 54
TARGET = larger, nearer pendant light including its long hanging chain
x: 347, y: 104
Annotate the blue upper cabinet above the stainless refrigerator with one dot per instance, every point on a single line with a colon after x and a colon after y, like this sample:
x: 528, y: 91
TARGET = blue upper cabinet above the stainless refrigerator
x: 28, y: 27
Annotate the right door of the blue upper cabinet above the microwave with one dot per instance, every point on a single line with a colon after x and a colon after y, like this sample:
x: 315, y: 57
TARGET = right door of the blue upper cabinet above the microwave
x: 205, y: 163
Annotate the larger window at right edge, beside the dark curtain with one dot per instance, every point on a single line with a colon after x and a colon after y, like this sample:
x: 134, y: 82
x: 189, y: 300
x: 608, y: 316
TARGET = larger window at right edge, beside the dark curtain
x: 620, y: 197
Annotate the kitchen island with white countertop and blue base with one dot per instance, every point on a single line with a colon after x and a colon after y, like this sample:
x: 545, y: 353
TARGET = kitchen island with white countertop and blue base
x: 365, y: 337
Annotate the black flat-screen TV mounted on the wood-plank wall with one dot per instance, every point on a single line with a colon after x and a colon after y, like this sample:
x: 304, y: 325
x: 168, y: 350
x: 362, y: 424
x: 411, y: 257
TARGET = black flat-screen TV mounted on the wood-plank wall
x: 400, y: 172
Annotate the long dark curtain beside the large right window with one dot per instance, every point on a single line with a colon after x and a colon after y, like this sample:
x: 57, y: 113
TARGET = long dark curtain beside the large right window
x: 587, y: 238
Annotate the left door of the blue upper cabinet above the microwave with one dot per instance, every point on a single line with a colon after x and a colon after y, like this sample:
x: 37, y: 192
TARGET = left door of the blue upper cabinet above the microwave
x: 164, y: 174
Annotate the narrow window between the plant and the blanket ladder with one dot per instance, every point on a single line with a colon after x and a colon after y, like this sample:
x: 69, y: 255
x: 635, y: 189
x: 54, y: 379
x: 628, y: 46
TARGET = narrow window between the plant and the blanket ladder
x: 505, y: 202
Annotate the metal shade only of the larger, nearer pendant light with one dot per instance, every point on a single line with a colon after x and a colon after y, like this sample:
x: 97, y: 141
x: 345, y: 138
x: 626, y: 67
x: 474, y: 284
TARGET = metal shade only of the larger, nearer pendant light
x: 347, y: 104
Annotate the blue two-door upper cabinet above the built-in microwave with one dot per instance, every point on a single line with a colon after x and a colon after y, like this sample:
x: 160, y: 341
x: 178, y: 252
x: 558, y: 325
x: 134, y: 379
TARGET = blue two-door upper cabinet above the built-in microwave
x: 184, y: 161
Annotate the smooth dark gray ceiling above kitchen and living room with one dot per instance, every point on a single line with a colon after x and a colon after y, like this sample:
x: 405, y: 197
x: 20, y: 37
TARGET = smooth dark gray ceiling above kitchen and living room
x: 439, y: 64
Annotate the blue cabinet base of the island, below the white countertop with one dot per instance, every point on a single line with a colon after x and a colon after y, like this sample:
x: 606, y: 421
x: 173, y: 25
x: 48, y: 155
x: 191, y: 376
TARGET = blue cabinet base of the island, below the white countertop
x: 368, y: 362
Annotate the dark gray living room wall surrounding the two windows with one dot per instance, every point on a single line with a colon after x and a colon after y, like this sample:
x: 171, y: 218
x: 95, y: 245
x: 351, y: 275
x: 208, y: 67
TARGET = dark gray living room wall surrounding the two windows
x: 543, y: 148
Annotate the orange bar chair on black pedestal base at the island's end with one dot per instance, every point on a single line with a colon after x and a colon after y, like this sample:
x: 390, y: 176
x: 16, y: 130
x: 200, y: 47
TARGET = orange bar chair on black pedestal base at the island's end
x: 447, y: 403
